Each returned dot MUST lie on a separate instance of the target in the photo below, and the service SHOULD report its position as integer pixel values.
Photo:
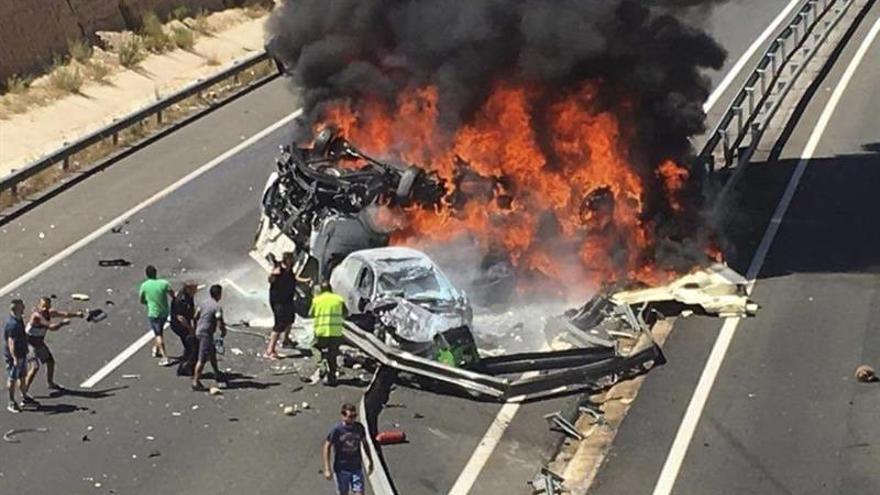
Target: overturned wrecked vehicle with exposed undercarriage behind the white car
(321, 202)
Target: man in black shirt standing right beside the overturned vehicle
(282, 290)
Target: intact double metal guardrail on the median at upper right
(754, 106)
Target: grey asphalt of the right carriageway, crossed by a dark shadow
(785, 415)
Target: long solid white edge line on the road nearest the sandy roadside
(11, 286)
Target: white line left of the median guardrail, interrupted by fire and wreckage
(492, 438)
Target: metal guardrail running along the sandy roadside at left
(62, 156)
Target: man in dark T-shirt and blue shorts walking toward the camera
(345, 440)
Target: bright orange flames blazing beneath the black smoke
(567, 193)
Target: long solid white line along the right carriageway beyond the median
(669, 473)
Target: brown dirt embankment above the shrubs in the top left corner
(34, 32)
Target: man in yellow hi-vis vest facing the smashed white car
(328, 310)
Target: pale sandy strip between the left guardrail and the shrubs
(27, 136)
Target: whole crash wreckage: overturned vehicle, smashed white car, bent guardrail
(322, 203)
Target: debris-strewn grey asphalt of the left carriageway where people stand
(150, 433)
